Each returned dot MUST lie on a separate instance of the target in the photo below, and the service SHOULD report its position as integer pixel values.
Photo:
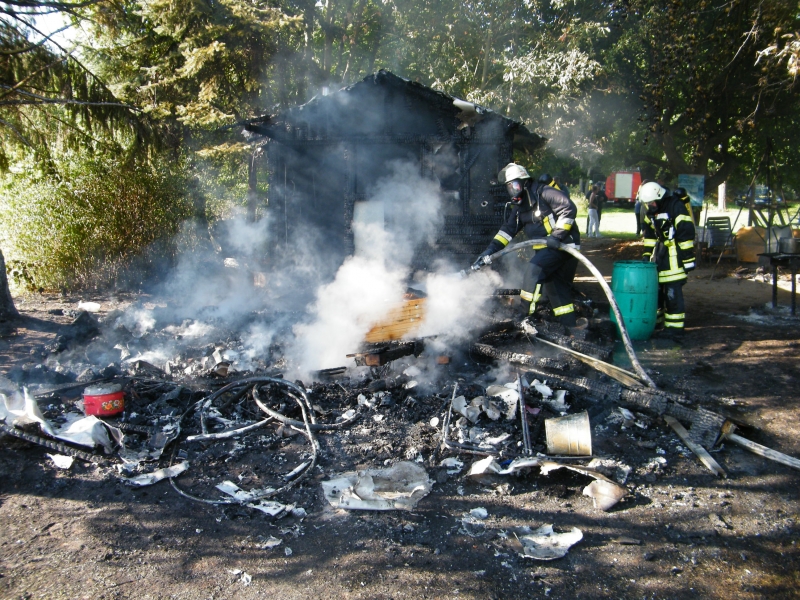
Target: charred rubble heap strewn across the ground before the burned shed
(381, 434)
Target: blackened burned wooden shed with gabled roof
(325, 157)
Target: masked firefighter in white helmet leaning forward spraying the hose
(542, 211)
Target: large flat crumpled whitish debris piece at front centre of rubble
(400, 486)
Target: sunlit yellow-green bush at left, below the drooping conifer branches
(83, 224)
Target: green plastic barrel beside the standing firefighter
(635, 286)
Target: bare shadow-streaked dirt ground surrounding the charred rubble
(681, 531)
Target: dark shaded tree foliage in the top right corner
(707, 107)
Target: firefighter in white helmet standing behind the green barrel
(669, 243)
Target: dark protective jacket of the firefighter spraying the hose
(556, 217)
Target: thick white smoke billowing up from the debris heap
(244, 290)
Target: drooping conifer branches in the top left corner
(50, 102)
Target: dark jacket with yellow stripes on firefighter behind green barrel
(669, 233)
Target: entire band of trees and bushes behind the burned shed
(667, 85)
